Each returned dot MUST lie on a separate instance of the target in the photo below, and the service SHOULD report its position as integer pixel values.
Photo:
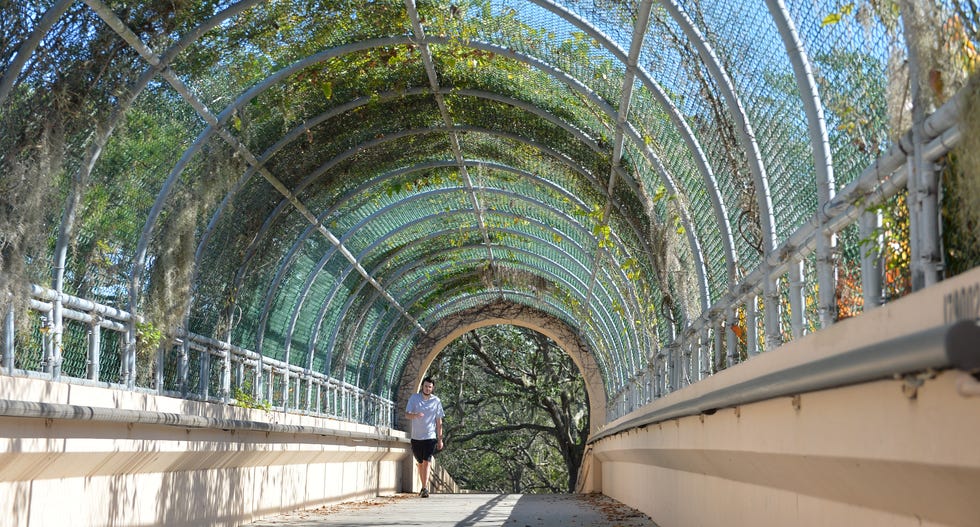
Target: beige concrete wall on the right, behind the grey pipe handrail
(893, 452)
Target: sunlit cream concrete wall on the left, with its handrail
(110, 457)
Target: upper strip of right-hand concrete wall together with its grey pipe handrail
(906, 336)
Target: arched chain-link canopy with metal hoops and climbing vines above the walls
(298, 203)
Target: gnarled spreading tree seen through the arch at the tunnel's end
(516, 412)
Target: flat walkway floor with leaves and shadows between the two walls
(470, 510)
